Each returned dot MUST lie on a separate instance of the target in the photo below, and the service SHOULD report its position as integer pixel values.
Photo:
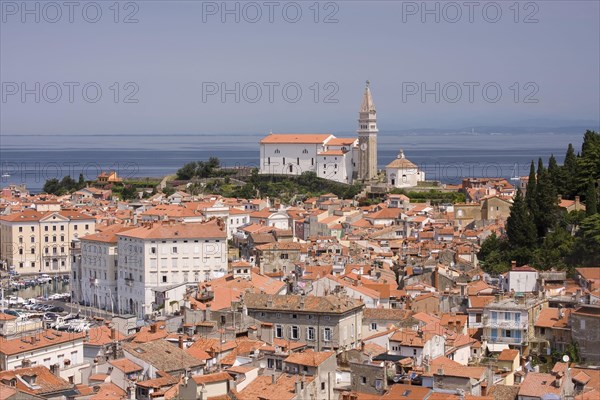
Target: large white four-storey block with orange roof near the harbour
(158, 255)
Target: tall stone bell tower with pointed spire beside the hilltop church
(367, 138)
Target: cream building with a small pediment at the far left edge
(36, 242)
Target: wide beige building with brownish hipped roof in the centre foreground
(323, 323)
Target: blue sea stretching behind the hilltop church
(447, 157)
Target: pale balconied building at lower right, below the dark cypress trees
(510, 321)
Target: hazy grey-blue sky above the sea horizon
(194, 67)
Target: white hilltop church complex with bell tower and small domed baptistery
(345, 160)
